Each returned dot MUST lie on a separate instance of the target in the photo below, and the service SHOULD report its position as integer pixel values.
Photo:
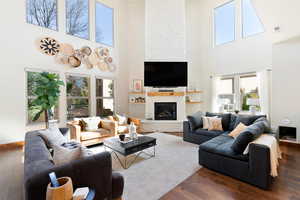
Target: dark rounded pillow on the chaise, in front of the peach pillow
(242, 141)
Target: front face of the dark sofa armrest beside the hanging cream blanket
(259, 164)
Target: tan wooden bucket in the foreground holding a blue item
(63, 192)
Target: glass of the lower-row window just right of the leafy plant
(77, 96)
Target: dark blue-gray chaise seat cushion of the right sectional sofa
(222, 145)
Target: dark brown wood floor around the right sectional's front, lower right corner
(209, 185)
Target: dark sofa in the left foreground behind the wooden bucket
(93, 171)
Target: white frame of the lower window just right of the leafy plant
(78, 97)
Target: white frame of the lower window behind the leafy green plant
(37, 70)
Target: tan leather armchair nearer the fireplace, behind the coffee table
(124, 128)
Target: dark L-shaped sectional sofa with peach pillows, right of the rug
(217, 150)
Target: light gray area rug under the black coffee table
(150, 179)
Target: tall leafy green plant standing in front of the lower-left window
(46, 92)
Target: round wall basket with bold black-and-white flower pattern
(49, 46)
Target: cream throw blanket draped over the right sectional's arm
(275, 153)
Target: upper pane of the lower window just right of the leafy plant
(77, 86)
